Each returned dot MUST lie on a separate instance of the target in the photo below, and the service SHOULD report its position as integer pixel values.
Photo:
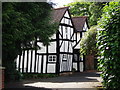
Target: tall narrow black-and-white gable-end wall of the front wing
(66, 43)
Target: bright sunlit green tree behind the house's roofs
(91, 9)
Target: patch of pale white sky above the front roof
(61, 3)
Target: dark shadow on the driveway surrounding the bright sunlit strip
(76, 77)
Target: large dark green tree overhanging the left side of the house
(21, 24)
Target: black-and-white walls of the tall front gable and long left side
(39, 61)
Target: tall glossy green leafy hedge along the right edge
(109, 46)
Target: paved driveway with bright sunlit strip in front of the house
(76, 81)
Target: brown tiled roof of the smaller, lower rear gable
(79, 22)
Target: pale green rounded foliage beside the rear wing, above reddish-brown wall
(88, 42)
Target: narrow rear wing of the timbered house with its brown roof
(81, 26)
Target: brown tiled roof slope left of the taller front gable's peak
(58, 13)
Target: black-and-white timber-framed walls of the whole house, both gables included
(60, 55)
